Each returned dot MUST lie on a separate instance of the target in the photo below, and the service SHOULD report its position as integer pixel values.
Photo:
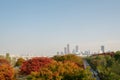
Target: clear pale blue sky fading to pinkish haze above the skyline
(43, 27)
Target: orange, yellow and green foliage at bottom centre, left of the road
(61, 71)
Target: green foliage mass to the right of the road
(107, 66)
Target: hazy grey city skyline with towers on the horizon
(76, 50)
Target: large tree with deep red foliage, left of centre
(34, 64)
